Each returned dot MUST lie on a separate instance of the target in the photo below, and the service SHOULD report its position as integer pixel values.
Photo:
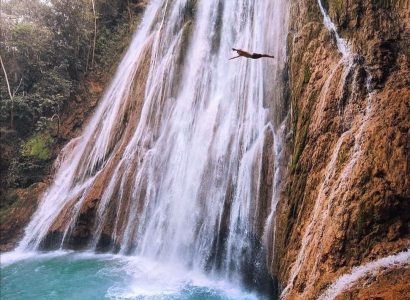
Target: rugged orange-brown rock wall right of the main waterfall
(345, 200)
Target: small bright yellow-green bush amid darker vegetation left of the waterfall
(38, 147)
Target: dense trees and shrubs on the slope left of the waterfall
(48, 50)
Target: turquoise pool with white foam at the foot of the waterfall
(94, 276)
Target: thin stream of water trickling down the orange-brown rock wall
(347, 68)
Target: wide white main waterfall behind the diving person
(172, 164)
